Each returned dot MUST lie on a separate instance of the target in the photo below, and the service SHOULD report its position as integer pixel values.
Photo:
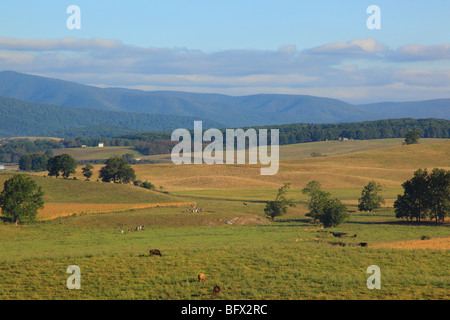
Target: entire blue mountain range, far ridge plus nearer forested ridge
(136, 110)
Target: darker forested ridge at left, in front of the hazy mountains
(20, 118)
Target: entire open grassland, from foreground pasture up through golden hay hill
(232, 243)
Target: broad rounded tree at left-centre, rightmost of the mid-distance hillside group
(117, 170)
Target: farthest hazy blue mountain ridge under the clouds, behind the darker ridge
(252, 110)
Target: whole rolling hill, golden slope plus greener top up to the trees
(345, 171)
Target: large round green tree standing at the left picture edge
(21, 198)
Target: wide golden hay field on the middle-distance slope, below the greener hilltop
(389, 166)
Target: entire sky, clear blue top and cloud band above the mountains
(237, 47)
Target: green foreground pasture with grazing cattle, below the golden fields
(289, 259)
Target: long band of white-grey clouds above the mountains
(354, 70)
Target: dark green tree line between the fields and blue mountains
(150, 143)
